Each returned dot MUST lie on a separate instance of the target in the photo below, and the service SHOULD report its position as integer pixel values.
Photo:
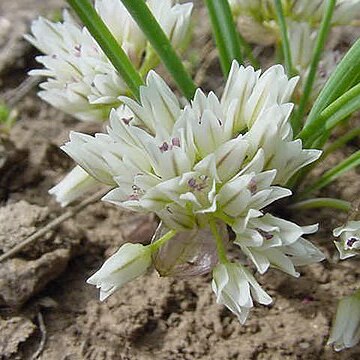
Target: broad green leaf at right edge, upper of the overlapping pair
(345, 76)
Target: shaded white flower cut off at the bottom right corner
(345, 332)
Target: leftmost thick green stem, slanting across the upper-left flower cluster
(108, 44)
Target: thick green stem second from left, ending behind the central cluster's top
(161, 44)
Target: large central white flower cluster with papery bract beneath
(211, 164)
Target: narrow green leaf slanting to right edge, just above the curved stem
(346, 165)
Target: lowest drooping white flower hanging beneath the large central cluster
(234, 287)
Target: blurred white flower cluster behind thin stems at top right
(257, 22)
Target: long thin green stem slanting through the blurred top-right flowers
(319, 46)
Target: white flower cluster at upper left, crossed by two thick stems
(81, 81)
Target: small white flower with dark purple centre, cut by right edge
(349, 242)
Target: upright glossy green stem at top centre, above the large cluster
(225, 33)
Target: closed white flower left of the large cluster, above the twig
(74, 185)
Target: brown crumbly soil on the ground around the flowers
(47, 311)
